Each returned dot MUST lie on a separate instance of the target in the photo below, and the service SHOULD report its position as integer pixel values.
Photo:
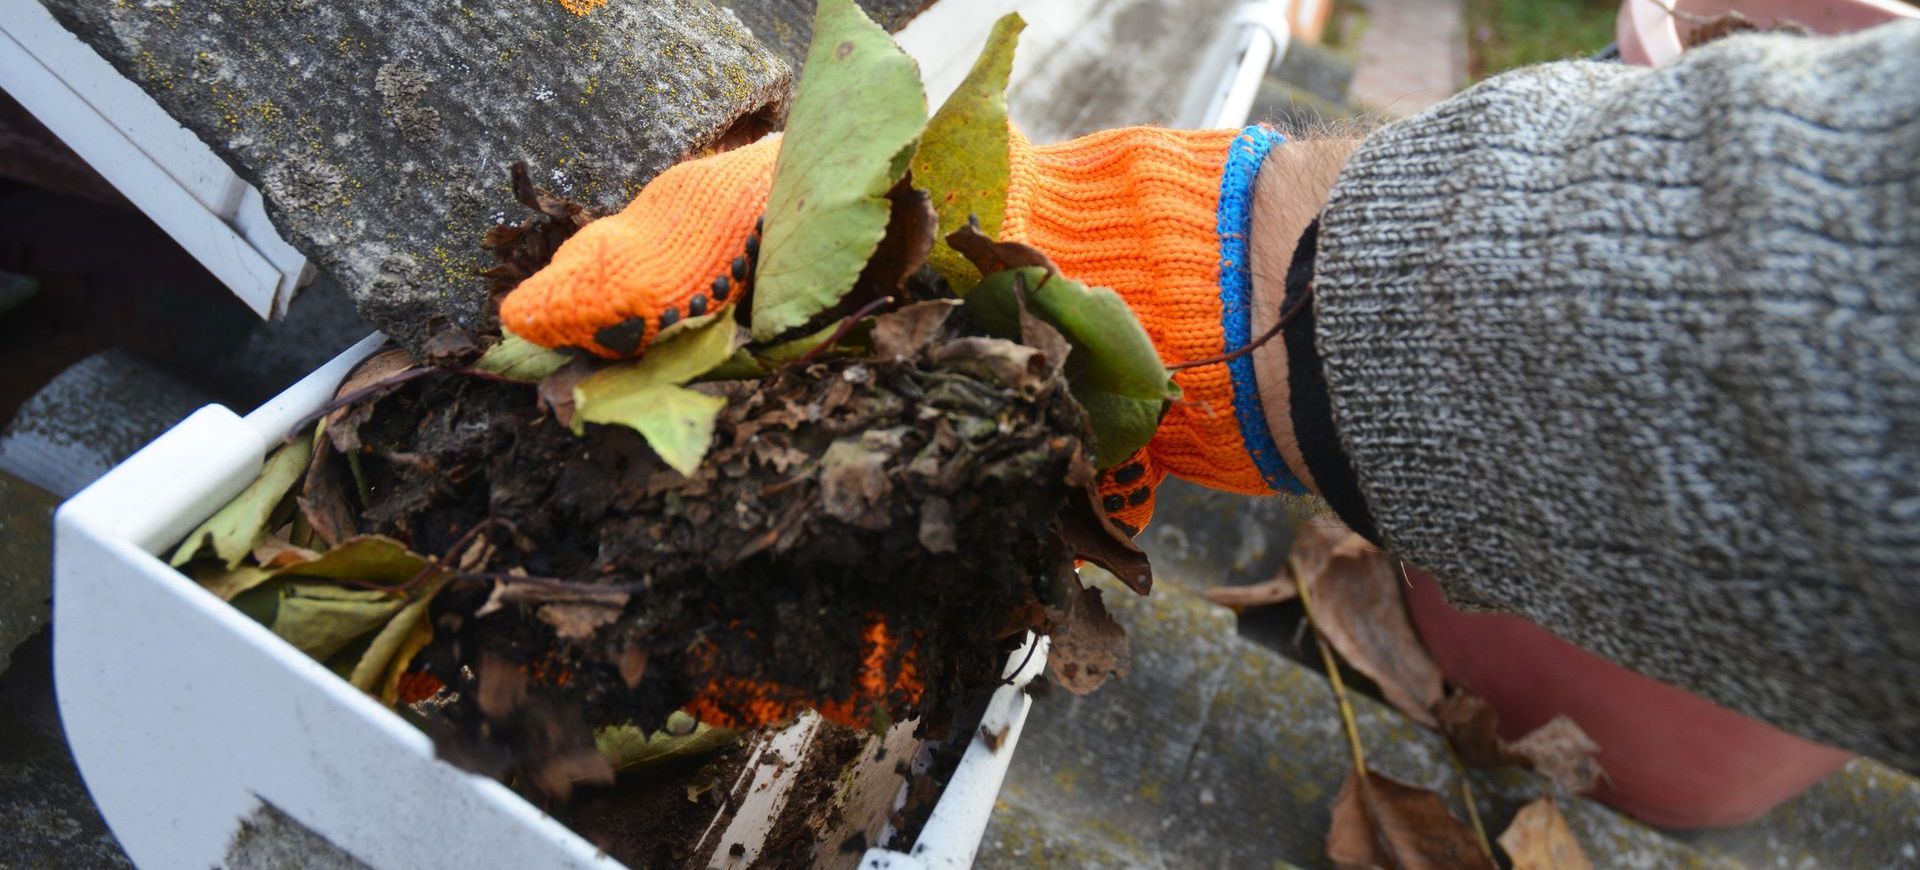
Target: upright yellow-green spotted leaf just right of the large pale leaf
(963, 160)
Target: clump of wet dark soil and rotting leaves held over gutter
(869, 535)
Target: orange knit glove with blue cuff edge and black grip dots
(1159, 216)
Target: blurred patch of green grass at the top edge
(1514, 34)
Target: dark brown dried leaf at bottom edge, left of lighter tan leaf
(1381, 823)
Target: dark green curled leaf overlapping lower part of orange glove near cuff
(1115, 370)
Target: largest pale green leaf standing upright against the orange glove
(857, 114)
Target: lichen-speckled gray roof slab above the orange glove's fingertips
(381, 133)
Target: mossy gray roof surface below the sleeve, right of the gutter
(1222, 750)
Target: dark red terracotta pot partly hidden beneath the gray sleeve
(1673, 760)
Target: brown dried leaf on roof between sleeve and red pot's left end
(1360, 608)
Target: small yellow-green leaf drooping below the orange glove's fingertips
(648, 399)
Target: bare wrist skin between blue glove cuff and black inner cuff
(1287, 197)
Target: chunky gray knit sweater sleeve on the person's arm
(1637, 354)
